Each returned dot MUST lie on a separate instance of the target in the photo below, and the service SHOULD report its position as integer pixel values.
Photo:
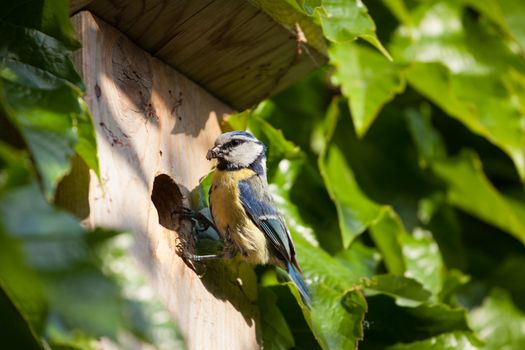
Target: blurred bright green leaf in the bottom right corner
(498, 322)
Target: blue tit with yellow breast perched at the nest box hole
(243, 209)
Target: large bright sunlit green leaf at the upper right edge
(464, 67)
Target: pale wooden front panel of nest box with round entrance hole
(153, 128)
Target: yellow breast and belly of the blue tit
(231, 219)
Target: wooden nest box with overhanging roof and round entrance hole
(160, 76)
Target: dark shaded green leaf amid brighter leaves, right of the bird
(385, 163)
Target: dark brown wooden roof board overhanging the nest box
(219, 43)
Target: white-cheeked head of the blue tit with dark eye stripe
(237, 150)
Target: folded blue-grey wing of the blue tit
(258, 204)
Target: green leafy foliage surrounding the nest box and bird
(399, 168)
